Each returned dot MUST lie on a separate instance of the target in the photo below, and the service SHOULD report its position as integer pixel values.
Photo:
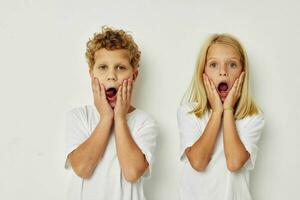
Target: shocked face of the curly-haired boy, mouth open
(111, 68)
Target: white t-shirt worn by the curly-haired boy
(107, 181)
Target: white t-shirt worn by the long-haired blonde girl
(216, 182)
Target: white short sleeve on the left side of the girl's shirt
(190, 128)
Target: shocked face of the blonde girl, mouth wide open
(223, 66)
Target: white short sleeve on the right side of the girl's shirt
(250, 133)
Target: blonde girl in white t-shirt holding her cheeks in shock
(220, 124)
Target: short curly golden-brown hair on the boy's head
(111, 39)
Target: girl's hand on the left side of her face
(212, 95)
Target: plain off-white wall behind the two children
(44, 74)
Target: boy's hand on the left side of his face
(100, 100)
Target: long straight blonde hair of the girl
(196, 91)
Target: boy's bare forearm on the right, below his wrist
(132, 160)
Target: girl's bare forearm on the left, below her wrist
(200, 152)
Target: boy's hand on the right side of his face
(123, 99)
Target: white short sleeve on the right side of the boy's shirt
(145, 138)
